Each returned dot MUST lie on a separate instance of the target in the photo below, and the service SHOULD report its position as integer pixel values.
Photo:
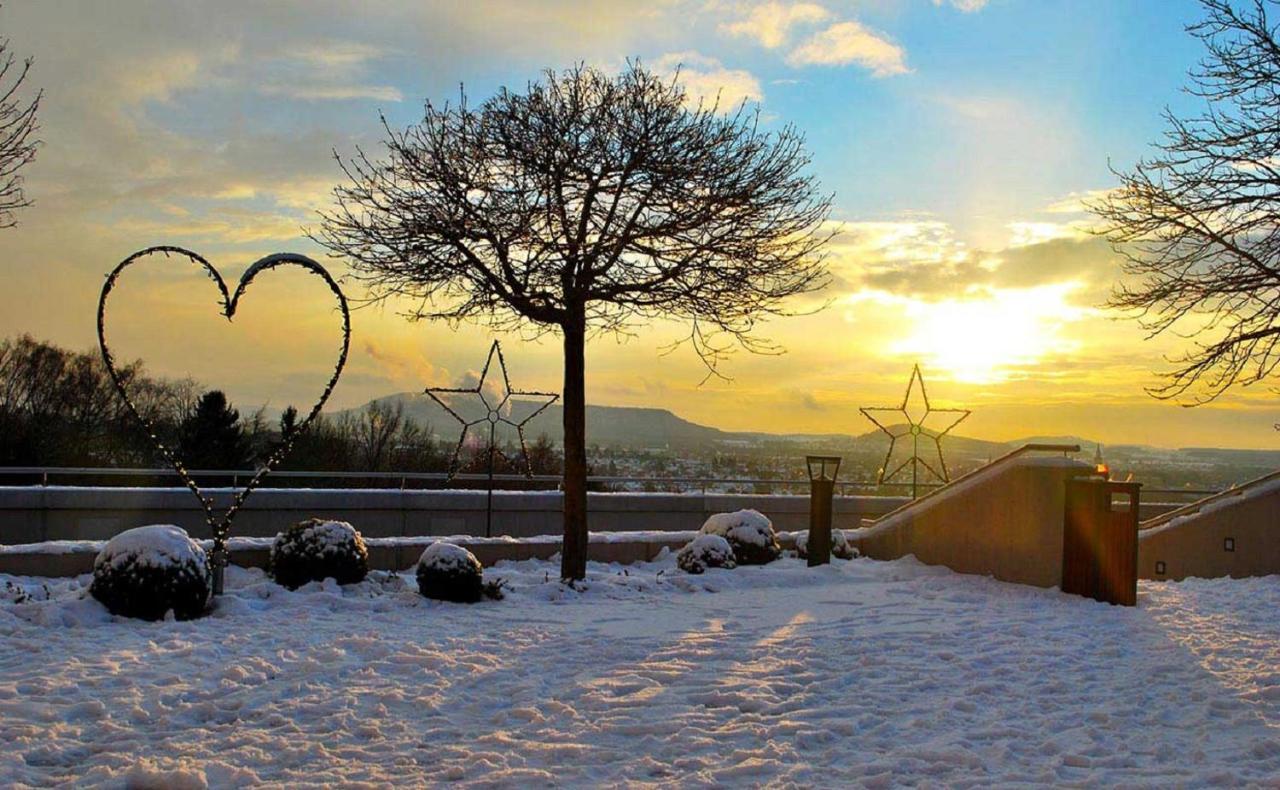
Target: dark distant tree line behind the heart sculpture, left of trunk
(58, 408)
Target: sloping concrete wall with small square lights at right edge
(1196, 546)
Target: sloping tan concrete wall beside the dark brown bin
(1004, 523)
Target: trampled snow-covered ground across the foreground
(861, 673)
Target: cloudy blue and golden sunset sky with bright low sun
(959, 139)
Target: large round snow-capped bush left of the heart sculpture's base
(149, 572)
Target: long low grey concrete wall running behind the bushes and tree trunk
(31, 515)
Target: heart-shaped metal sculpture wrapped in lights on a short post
(221, 524)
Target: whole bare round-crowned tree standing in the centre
(587, 203)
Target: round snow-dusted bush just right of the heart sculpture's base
(317, 550)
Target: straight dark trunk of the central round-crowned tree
(574, 555)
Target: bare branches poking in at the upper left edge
(19, 130)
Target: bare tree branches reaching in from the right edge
(1197, 225)
